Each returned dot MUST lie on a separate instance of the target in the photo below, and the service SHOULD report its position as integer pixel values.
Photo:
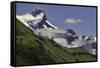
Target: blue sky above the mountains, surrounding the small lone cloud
(57, 15)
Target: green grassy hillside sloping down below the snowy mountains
(33, 50)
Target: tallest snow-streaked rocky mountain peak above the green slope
(36, 20)
